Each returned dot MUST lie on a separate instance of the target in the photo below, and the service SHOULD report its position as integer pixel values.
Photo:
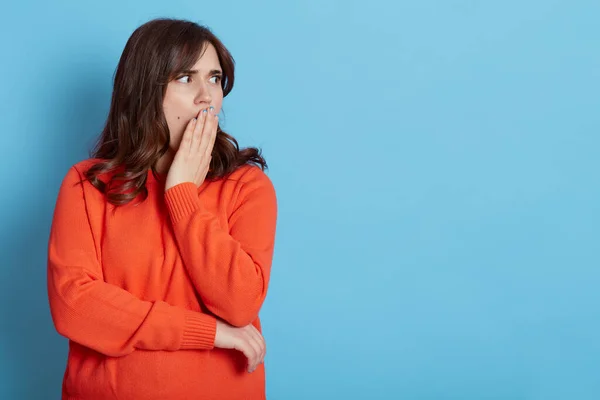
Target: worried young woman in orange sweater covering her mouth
(161, 244)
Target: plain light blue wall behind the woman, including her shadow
(436, 164)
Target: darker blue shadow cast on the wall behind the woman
(34, 354)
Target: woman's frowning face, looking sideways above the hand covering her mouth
(194, 90)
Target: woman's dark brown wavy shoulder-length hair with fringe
(136, 134)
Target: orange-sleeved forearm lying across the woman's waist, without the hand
(112, 321)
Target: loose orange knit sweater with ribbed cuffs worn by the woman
(136, 288)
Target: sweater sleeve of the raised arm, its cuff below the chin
(230, 270)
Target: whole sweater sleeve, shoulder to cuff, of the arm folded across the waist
(99, 315)
